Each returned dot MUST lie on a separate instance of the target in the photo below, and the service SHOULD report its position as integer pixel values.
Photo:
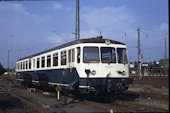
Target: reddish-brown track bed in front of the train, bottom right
(122, 106)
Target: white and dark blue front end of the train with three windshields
(104, 68)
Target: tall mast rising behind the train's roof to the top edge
(77, 29)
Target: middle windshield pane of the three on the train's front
(108, 55)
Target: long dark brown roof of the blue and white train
(98, 39)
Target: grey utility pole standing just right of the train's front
(139, 55)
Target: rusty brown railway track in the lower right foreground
(123, 106)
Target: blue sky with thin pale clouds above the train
(29, 27)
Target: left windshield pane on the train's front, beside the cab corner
(91, 55)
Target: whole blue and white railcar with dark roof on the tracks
(88, 65)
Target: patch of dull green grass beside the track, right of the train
(149, 89)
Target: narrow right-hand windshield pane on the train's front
(121, 55)
